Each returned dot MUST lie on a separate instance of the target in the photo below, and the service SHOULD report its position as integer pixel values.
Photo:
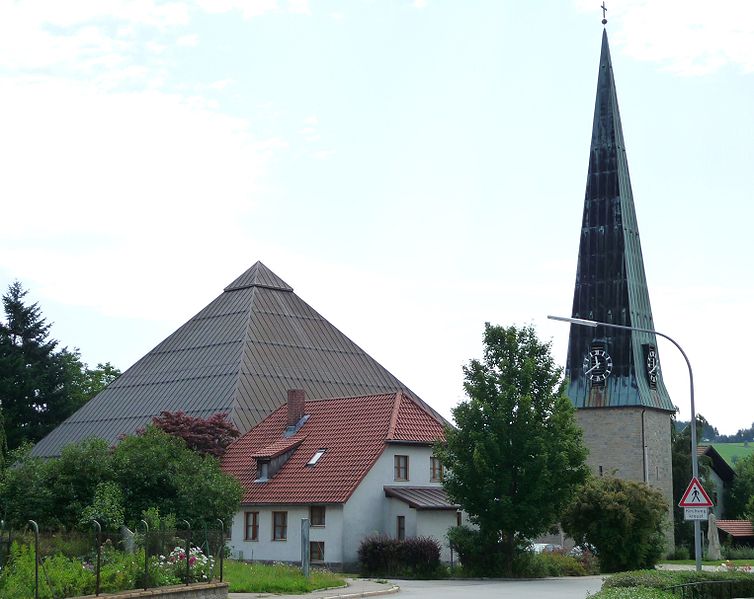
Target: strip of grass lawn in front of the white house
(262, 578)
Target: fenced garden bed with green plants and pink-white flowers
(120, 560)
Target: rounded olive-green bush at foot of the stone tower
(621, 520)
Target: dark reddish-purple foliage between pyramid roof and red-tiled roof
(210, 436)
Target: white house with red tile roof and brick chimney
(353, 466)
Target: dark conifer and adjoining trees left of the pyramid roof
(40, 384)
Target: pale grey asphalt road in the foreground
(541, 588)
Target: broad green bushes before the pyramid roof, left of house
(151, 470)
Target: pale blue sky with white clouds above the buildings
(412, 168)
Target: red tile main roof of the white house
(352, 430)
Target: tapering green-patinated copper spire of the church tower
(611, 285)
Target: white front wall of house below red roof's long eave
(289, 550)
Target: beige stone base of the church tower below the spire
(632, 443)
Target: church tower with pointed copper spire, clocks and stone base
(615, 376)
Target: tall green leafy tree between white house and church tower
(517, 454)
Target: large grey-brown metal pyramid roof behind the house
(238, 355)
